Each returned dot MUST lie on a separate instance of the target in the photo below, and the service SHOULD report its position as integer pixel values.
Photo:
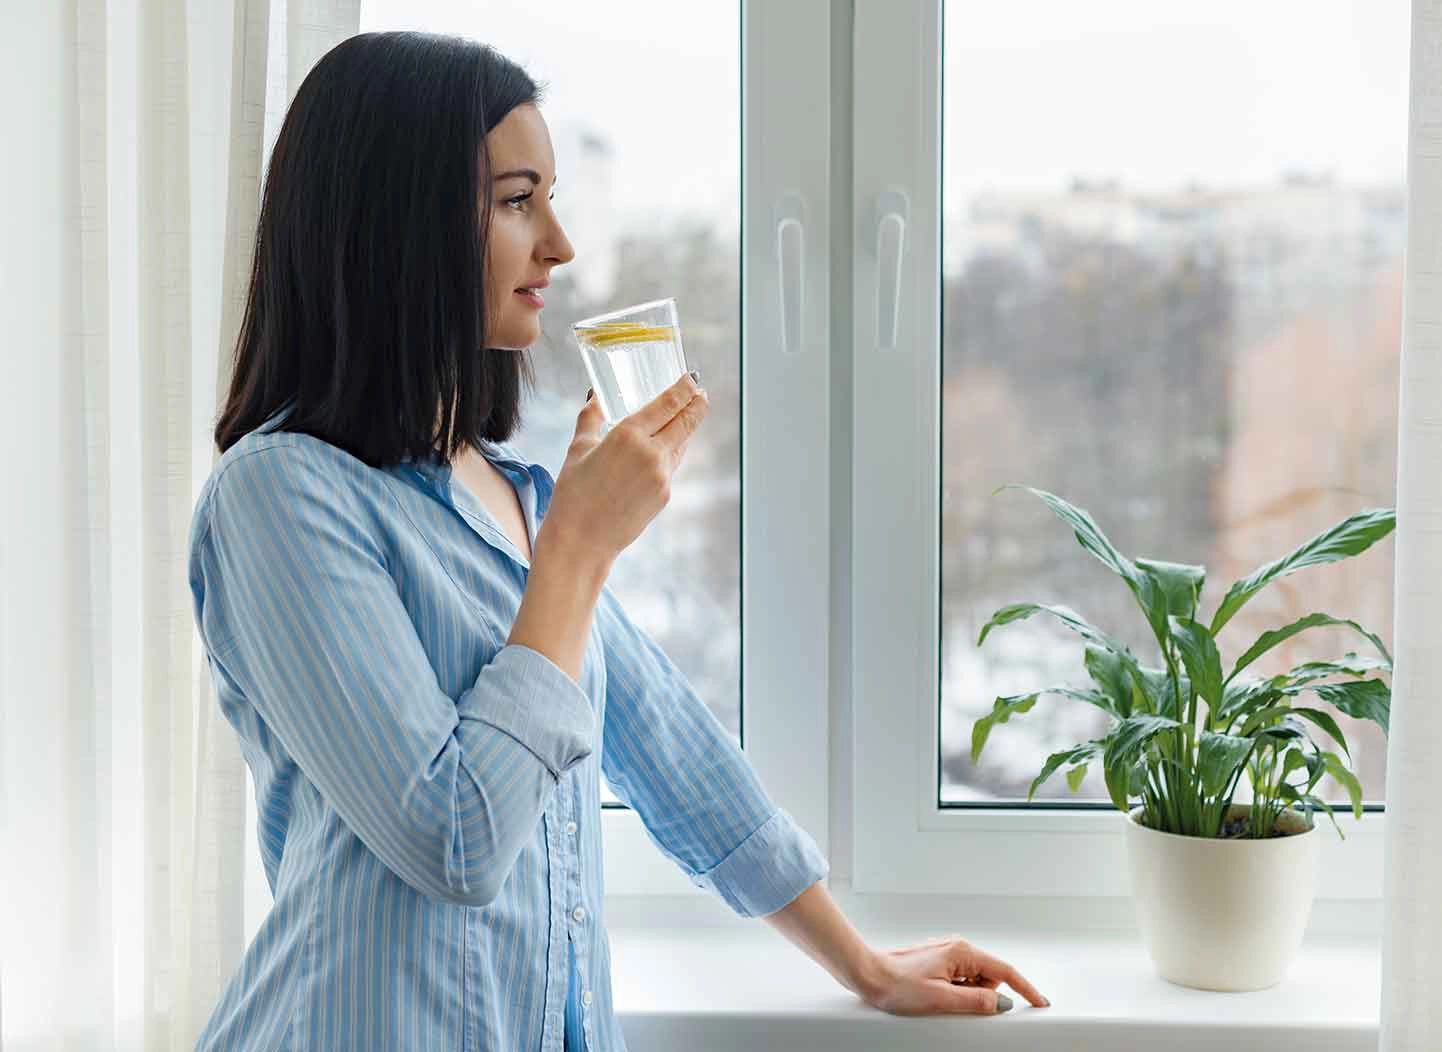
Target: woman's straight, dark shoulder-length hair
(366, 312)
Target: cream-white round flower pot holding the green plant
(1224, 914)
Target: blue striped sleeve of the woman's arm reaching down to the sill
(667, 757)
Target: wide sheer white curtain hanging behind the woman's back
(131, 188)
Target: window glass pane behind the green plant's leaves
(1172, 296)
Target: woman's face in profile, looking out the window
(526, 240)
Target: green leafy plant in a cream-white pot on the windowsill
(1224, 891)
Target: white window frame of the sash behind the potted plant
(903, 841)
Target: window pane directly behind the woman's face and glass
(648, 190)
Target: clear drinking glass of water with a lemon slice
(631, 355)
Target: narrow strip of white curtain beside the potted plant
(1412, 870)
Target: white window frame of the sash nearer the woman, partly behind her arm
(787, 502)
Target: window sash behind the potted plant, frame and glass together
(1140, 257)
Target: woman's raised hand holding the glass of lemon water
(612, 488)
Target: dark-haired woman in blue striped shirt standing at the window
(407, 623)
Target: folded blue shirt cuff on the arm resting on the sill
(769, 870)
